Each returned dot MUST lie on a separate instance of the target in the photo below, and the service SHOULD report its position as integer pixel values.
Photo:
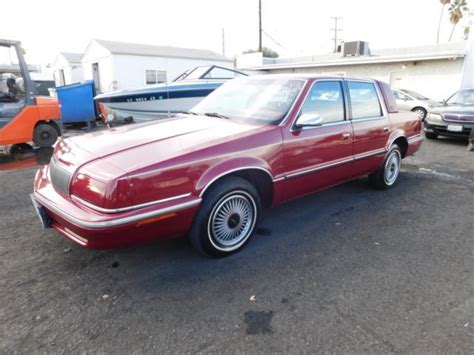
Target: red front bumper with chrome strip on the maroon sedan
(96, 230)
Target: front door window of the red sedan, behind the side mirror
(326, 100)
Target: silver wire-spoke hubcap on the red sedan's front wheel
(232, 220)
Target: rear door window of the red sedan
(364, 100)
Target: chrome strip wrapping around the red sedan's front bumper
(118, 221)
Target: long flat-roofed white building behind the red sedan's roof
(435, 71)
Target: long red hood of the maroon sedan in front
(132, 147)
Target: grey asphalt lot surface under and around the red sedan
(346, 270)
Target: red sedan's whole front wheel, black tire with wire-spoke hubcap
(204, 232)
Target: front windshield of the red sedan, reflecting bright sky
(265, 100)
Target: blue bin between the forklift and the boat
(77, 102)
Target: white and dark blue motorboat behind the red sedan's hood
(163, 100)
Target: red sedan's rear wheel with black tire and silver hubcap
(380, 178)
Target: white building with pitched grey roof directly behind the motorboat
(118, 65)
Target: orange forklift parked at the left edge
(24, 117)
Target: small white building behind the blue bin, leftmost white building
(67, 69)
